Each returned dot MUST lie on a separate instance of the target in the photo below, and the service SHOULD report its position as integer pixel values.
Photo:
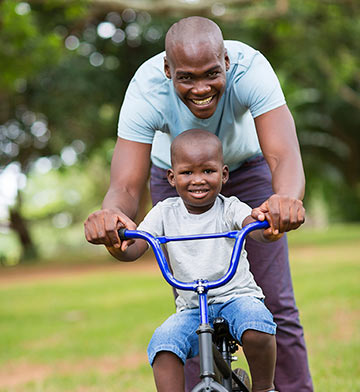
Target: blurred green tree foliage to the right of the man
(313, 47)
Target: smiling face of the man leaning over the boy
(199, 76)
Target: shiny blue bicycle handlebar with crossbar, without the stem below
(156, 242)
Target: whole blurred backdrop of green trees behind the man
(64, 70)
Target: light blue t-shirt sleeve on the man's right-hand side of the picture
(258, 88)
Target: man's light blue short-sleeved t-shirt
(153, 113)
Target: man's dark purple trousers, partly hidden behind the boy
(269, 263)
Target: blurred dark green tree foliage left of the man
(63, 107)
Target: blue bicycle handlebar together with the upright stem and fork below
(200, 286)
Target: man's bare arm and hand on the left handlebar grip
(129, 172)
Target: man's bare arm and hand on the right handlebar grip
(277, 136)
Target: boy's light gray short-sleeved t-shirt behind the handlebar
(205, 259)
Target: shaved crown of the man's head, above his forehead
(192, 32)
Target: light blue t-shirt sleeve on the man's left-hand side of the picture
(138, 118)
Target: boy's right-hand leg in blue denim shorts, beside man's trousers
(251, 323)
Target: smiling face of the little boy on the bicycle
(198, 175)
